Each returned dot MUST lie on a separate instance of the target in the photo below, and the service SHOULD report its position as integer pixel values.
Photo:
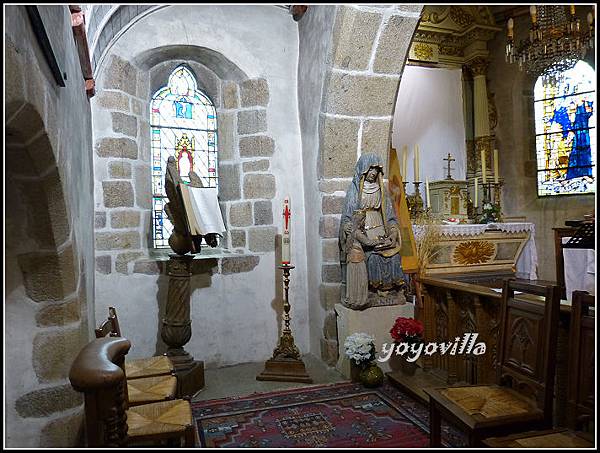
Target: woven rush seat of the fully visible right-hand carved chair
(488, 400)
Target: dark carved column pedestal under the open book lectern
(177, 327)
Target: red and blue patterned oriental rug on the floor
(338, 415)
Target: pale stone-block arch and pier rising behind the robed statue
(361, 70)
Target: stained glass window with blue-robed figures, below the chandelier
(565, 126)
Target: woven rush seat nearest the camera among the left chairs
(159, 418)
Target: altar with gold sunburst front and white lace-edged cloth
(494, 247)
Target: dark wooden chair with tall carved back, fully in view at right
(521, 399)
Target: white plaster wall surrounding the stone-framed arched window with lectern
(263, 42)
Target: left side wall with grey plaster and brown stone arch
(49, 236)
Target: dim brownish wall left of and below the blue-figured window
(515, 140)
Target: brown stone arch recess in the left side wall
(44, 288)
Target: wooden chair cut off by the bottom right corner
(580, 388)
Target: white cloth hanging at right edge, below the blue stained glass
(580, 269)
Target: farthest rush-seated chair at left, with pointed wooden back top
(135, 368)
